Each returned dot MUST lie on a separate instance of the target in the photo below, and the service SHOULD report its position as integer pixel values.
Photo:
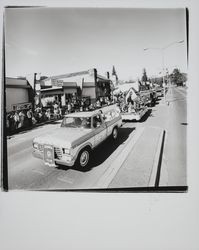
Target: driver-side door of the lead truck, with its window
(100, 129)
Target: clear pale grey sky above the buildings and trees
(54, 41)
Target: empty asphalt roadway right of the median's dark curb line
(174, 165)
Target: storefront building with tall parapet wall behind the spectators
(84, 84)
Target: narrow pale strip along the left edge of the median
(114, 167)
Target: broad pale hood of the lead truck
(65, 137)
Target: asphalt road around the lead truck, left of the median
(27, 172)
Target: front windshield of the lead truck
(76, 122)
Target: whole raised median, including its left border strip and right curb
(137, 164)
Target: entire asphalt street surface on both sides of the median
(28, 173)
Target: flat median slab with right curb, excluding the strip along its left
(141, 166)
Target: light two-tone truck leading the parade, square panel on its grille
(79, 134)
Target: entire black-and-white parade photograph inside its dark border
(95, 99)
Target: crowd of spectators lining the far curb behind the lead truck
(22, 119)
